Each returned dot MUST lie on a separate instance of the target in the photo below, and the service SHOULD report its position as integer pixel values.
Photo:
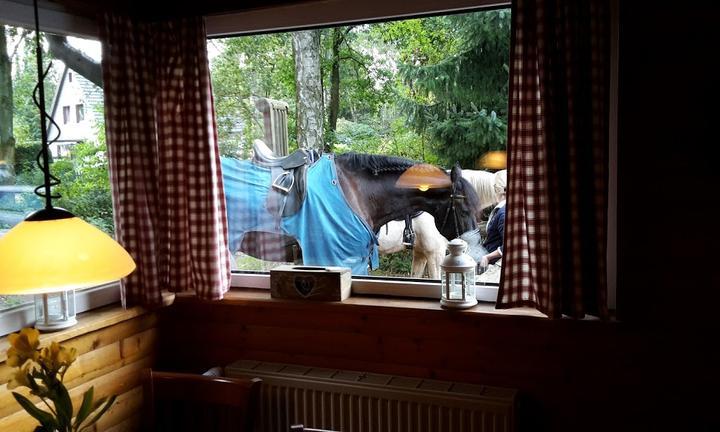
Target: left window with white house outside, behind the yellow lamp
(85, 187)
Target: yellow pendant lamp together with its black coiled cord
(52, 251)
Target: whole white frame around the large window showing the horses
(338, 12)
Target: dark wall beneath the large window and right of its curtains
(645, 373)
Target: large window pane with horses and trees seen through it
(429, 90)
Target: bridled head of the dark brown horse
(458, 210)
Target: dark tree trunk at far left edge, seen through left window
(7, 139)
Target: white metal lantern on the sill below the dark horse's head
(457, 276)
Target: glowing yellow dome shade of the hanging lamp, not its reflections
(59, 254)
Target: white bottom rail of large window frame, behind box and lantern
(375, 286)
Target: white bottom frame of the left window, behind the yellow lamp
(13, 319)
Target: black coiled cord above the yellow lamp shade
(43, 157)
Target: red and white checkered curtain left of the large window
(164, 163)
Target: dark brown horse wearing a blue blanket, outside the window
(361, 189)
